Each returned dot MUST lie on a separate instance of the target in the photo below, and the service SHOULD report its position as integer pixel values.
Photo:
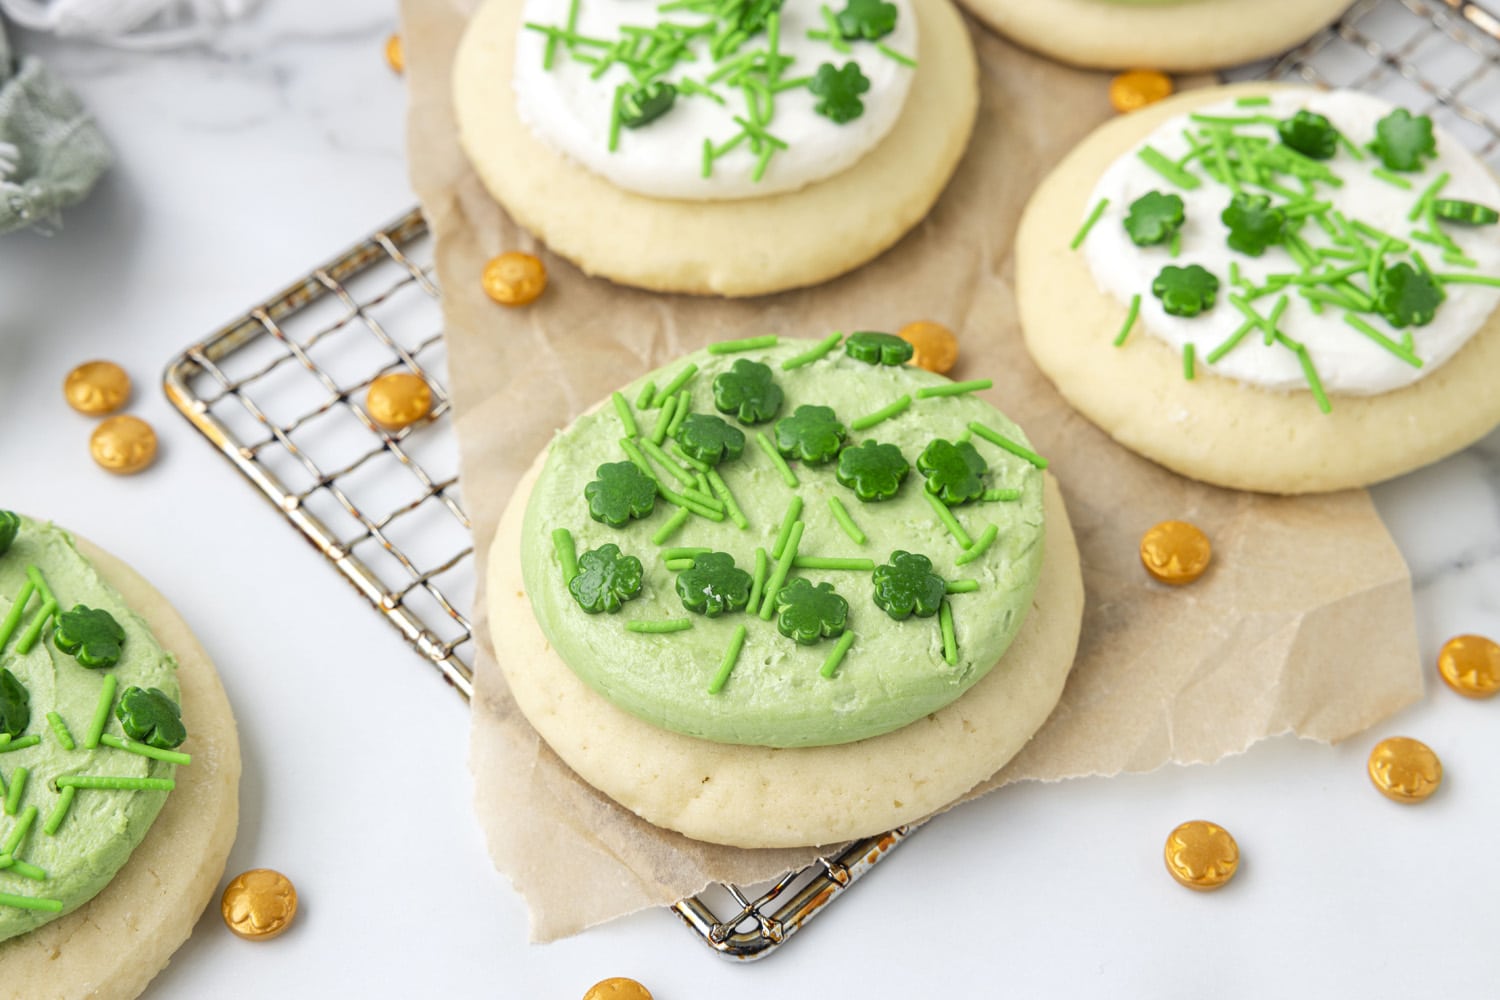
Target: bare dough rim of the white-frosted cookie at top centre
(749, 247)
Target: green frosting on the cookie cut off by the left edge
(103, 827)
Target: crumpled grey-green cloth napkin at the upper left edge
(52, 152)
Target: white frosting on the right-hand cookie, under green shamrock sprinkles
(1346, 361)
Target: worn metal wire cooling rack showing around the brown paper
(280, 392)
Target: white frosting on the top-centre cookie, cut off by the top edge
(572, 113)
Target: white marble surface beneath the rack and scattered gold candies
(247, 163)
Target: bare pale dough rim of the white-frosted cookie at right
(1217, 430)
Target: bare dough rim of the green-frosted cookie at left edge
(112, 947)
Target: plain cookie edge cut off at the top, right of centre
(1168, 35)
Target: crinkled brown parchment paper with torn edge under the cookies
(1303, 624)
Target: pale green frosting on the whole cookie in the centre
(895, 674)
